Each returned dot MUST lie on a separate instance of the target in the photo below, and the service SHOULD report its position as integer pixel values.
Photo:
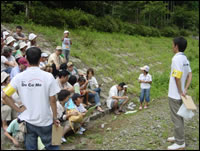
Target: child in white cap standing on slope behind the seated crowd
(66, 44)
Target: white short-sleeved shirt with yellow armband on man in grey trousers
(180, 68)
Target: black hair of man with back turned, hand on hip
(33, 55)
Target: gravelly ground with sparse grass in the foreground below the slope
(147, 129)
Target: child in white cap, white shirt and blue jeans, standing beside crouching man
(145, 81)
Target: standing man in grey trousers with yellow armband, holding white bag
(180, 79)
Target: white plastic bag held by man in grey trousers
(185, 113)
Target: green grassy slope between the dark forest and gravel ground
(119, 56)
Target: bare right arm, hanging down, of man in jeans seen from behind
(54, 110)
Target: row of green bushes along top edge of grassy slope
(77, 19)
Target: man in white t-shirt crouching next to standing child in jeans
(115, 100)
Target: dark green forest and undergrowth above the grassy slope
(146, 18)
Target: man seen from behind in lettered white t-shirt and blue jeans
(37, 90)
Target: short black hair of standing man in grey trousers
(181, 43)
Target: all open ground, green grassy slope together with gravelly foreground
(116, 58)
